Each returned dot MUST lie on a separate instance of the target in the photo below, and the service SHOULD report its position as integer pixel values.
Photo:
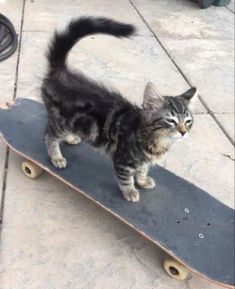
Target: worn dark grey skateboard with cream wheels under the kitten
(190, 225)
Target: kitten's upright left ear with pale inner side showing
(152, 97)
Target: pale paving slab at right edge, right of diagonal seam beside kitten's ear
(209, 66)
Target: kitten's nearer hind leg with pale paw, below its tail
(53, 149)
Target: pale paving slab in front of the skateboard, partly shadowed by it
(54, 238)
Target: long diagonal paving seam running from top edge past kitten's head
(183, 75)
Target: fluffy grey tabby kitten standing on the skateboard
(79, 109)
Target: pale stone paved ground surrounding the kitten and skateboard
(52, 237)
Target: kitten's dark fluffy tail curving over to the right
(79, 28)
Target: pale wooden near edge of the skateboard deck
(170, 253)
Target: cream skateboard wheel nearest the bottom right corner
(175, 269)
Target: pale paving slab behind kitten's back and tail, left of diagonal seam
(127, 65)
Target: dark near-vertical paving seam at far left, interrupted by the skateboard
(6, 164)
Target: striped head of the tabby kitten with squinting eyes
(168, 116)
